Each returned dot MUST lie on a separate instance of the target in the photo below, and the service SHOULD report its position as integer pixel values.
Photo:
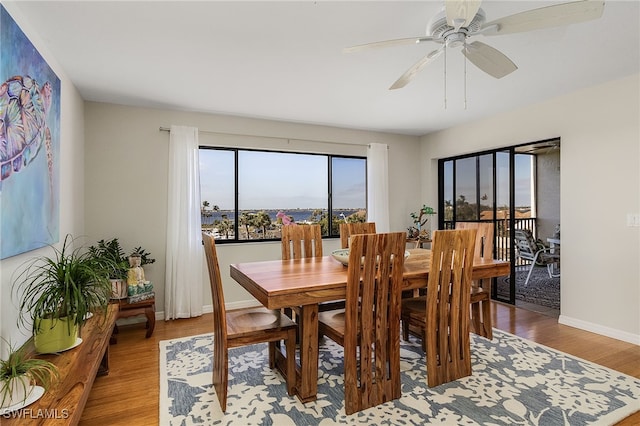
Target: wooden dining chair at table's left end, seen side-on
(244, 327)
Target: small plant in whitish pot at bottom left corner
(19, 373)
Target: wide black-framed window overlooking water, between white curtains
(248, 194)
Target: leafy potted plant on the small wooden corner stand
(111, 252)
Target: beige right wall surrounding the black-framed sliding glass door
(599, 129)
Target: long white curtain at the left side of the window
(183, 287)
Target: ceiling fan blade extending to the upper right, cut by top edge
(546, 17)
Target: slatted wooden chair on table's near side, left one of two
(369, 326)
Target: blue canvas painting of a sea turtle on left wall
(29, 144)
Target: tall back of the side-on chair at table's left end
(220, 352)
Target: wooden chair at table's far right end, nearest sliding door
(481, 289)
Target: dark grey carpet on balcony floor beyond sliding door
(540, 290)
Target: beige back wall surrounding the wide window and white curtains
(126, 178)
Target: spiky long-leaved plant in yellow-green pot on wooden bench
(57, 294)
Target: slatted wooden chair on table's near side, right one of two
(443, 315)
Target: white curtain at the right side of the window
(378, 186)
